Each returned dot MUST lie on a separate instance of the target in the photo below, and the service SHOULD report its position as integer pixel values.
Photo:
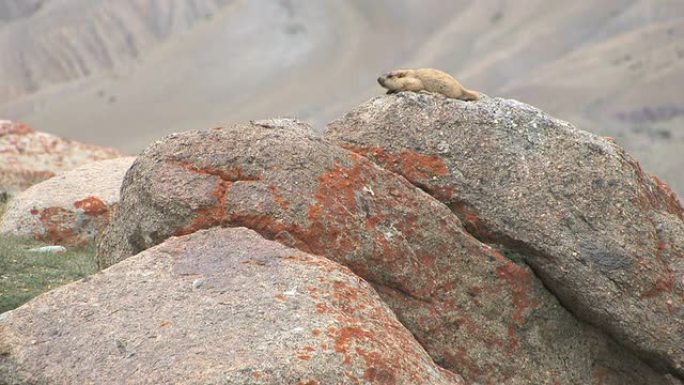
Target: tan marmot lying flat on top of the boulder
(426, 79)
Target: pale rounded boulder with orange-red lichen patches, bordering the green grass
(71, 208)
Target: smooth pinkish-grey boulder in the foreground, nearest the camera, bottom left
(222, 306)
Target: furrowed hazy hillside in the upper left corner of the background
(49, 42)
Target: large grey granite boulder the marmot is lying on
(603, 236)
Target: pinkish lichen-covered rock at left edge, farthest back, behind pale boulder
(28, 157)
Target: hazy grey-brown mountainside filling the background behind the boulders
(122, 73)
